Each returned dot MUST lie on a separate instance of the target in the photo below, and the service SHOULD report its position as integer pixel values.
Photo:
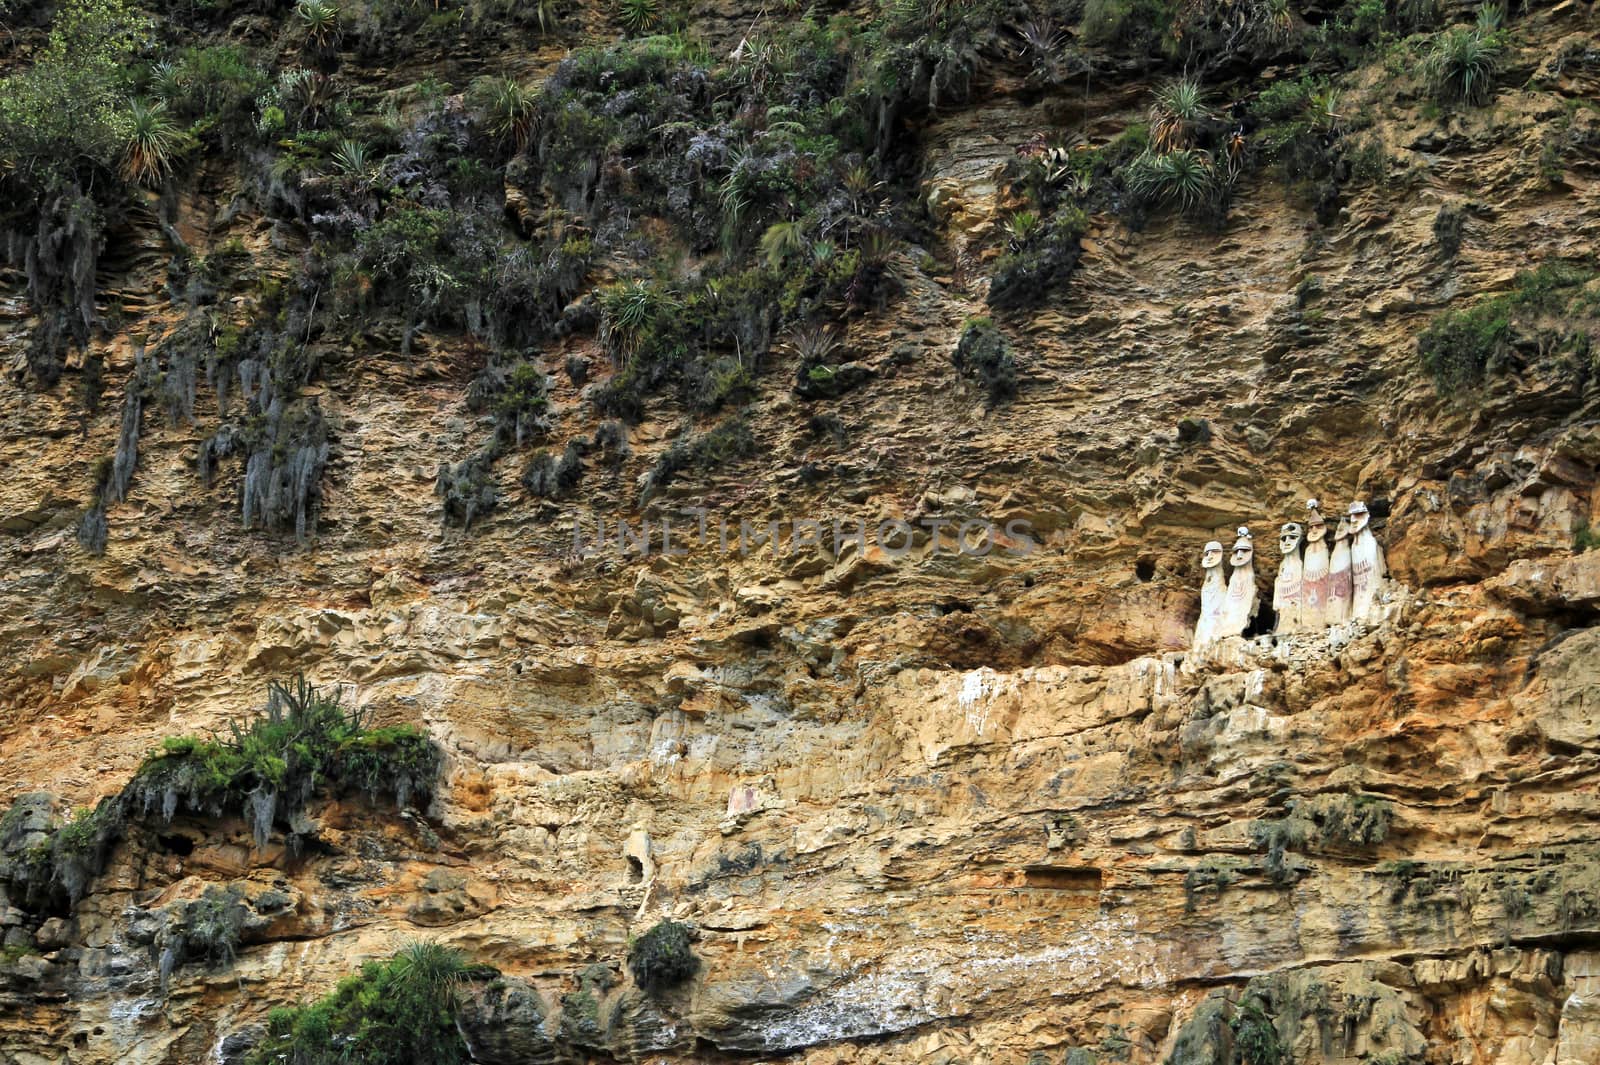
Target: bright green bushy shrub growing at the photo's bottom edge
(393, 1013)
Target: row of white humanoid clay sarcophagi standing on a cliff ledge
(1316, 589)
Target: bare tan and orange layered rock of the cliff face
(940, 808)
